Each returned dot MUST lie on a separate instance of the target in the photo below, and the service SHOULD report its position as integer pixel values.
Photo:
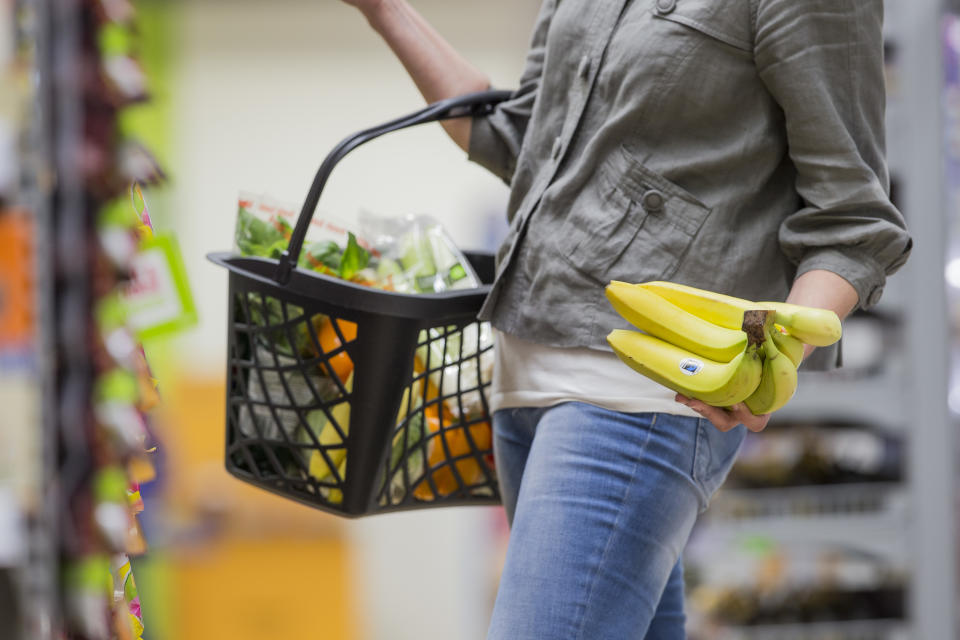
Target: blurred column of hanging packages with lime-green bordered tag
(116, 282)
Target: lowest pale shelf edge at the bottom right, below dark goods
(847, 630)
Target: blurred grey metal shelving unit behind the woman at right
(905, 527)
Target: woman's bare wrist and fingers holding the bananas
(815, 288)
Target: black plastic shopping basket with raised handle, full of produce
(365, 419)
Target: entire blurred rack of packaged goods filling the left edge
(83, 277)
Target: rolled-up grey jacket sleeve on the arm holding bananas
(822, 60)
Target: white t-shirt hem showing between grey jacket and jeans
(527, 374)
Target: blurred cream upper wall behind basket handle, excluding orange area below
(265, 90)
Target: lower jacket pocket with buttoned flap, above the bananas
(629, 223)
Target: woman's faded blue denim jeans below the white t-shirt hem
(600, 505)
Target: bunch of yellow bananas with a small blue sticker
(717, 348)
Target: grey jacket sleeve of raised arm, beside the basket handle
(495, 139)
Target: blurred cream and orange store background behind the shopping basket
(259, 93)
